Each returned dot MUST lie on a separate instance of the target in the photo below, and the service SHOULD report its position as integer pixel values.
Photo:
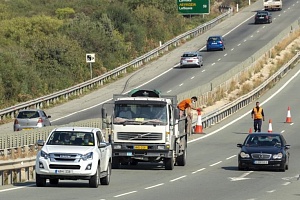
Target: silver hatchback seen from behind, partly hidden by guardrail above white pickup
(31, 119)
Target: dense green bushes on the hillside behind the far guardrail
(43, 43)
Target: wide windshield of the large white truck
(140, 114)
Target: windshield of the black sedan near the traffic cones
(263, 140)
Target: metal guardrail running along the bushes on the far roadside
(101, 80)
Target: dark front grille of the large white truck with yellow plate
(139, 136)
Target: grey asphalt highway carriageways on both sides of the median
(211, 170)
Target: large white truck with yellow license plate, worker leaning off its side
(146, 127)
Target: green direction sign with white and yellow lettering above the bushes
(193, 6)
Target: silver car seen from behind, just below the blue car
(191, 59)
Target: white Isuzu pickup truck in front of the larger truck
(72, 153)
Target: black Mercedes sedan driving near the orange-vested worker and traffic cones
(264, 150)
